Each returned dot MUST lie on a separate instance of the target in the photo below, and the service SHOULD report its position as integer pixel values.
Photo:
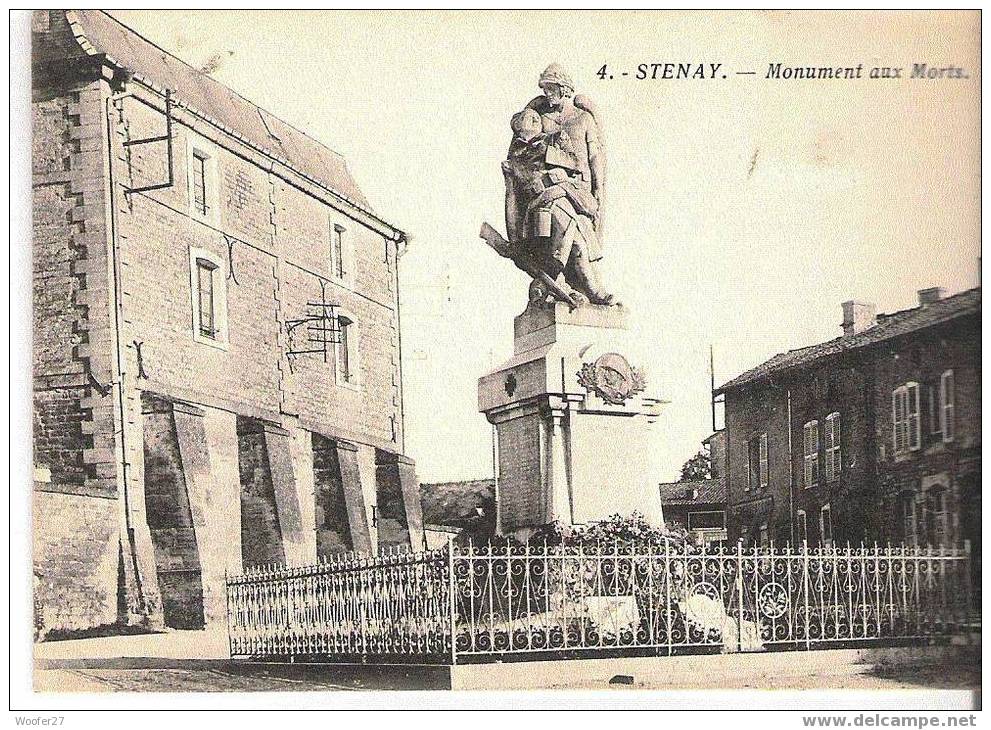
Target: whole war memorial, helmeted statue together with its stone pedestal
(573, 416)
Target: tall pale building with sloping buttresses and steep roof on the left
(217, 368)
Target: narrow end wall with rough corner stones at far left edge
(77, 518)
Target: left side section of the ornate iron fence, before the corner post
(391, 607)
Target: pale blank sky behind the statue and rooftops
(740, 212)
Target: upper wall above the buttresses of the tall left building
(274, 241)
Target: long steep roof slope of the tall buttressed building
(129, 50)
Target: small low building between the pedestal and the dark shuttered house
(699, 505)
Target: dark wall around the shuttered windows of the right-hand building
(864, 500)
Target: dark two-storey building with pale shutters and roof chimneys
(872, 436)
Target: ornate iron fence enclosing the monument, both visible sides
(477, 602)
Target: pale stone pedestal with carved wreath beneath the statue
(573, 421)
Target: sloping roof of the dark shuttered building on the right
(888, 327)
